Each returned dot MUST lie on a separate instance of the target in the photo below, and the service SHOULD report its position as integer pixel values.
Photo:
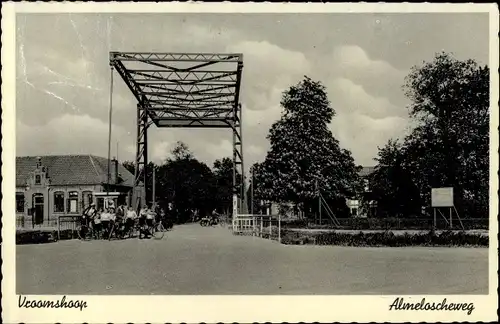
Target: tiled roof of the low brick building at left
(70, 170)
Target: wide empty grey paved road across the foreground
(197, 260)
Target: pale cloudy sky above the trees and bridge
(63, 75)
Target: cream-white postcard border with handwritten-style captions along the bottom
(231, 308)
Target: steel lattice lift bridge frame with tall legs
(197, 90)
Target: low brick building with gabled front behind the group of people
(59, 185)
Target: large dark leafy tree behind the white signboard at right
(449, 145)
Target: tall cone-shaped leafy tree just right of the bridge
(304, 155)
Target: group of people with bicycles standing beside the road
(105, 221)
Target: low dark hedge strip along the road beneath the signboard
(387, 238)
